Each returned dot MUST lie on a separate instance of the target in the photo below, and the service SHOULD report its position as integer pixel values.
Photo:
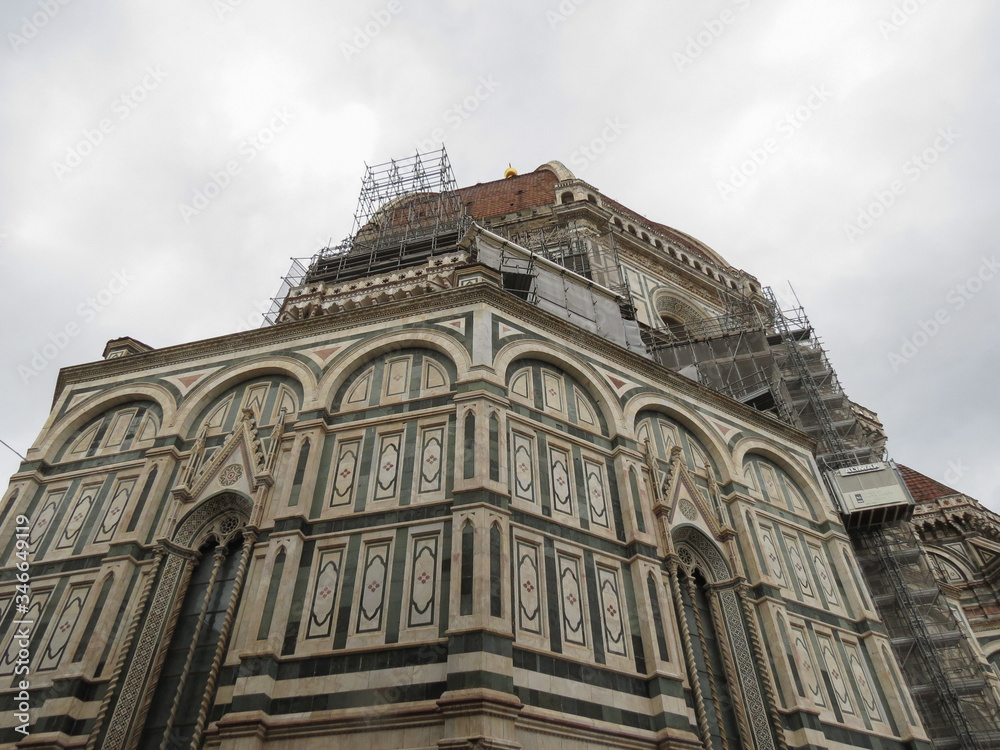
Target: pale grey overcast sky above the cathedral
(849, 148)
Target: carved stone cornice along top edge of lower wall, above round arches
(482, 293)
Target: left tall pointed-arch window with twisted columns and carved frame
(164, 683)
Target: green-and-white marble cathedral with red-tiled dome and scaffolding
(511, 467)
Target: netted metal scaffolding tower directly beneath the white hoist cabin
(947, 683)
